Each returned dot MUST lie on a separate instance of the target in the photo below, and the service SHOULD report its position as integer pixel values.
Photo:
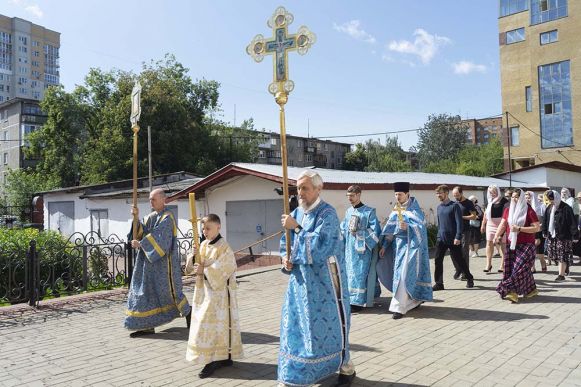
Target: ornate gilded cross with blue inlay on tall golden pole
(279, 46)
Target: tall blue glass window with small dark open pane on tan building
(555, 105)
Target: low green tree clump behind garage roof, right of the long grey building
(372, 156)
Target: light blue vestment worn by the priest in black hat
(412, 260)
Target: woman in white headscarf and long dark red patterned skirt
(521, 223)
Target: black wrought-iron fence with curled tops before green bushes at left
(84, 262)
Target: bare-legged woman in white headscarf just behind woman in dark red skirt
(490, 222)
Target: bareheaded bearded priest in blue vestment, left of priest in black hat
(360, 229)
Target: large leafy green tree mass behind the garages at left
(87, 138)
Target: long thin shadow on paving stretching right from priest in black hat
(462, 314)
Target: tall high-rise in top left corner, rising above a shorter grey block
(29, 59)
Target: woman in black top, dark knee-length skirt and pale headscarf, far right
(560, 230)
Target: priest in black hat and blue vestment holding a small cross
(412, 281)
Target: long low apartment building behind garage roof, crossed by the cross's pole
(302, 151)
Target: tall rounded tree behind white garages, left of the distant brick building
(442, 137)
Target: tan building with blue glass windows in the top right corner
(540, 67)
